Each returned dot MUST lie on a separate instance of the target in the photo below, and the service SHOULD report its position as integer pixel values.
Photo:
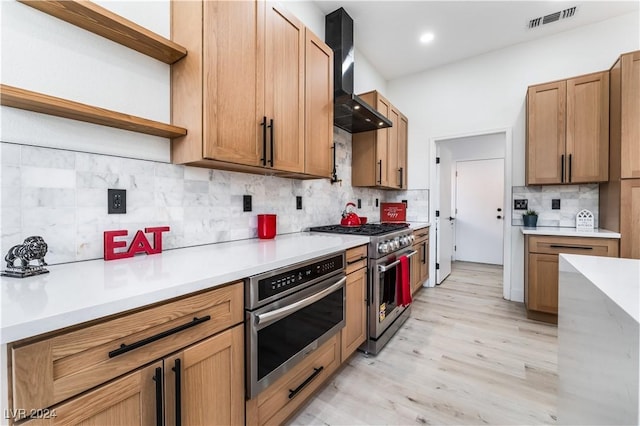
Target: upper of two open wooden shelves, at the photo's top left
(99, 20)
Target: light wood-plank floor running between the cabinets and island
(466, 356)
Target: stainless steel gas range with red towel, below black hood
(388, 242)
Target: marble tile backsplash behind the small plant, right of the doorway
(573, 198)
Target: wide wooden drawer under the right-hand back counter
(574, 245)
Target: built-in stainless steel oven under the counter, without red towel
(290, 312)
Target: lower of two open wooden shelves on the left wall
(45, 104)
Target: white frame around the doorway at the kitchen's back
(434, 195)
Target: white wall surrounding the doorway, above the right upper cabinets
(488, 91)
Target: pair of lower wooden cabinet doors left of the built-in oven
(204, 381)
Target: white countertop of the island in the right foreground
(617, 278)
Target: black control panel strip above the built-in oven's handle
(298, 276)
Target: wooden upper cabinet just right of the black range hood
(380, 156)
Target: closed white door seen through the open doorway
(480, 211)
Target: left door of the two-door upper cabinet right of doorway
(545, 133)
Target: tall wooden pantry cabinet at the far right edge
(620, 197)
